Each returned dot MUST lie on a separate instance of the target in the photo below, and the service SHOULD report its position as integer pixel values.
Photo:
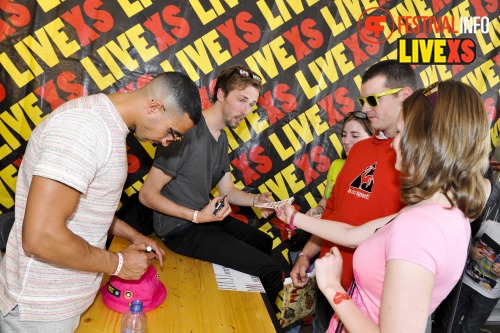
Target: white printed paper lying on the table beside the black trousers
(231, 279)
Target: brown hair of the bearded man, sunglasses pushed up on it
(230, 79)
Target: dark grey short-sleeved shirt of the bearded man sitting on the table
(197, 164)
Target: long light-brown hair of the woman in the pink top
(444, 147)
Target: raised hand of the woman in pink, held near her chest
(329, 270)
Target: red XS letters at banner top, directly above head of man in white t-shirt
(163, 38)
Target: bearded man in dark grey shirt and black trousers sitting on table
(183, 174)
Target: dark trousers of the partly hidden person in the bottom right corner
(474, 307)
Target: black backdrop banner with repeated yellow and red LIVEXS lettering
(311, 55)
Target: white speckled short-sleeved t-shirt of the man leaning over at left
(81, 144)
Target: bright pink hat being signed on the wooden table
(117, 294)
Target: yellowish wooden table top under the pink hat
(193, 303)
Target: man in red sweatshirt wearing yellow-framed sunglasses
(367, 187)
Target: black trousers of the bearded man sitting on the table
(233, 244)
